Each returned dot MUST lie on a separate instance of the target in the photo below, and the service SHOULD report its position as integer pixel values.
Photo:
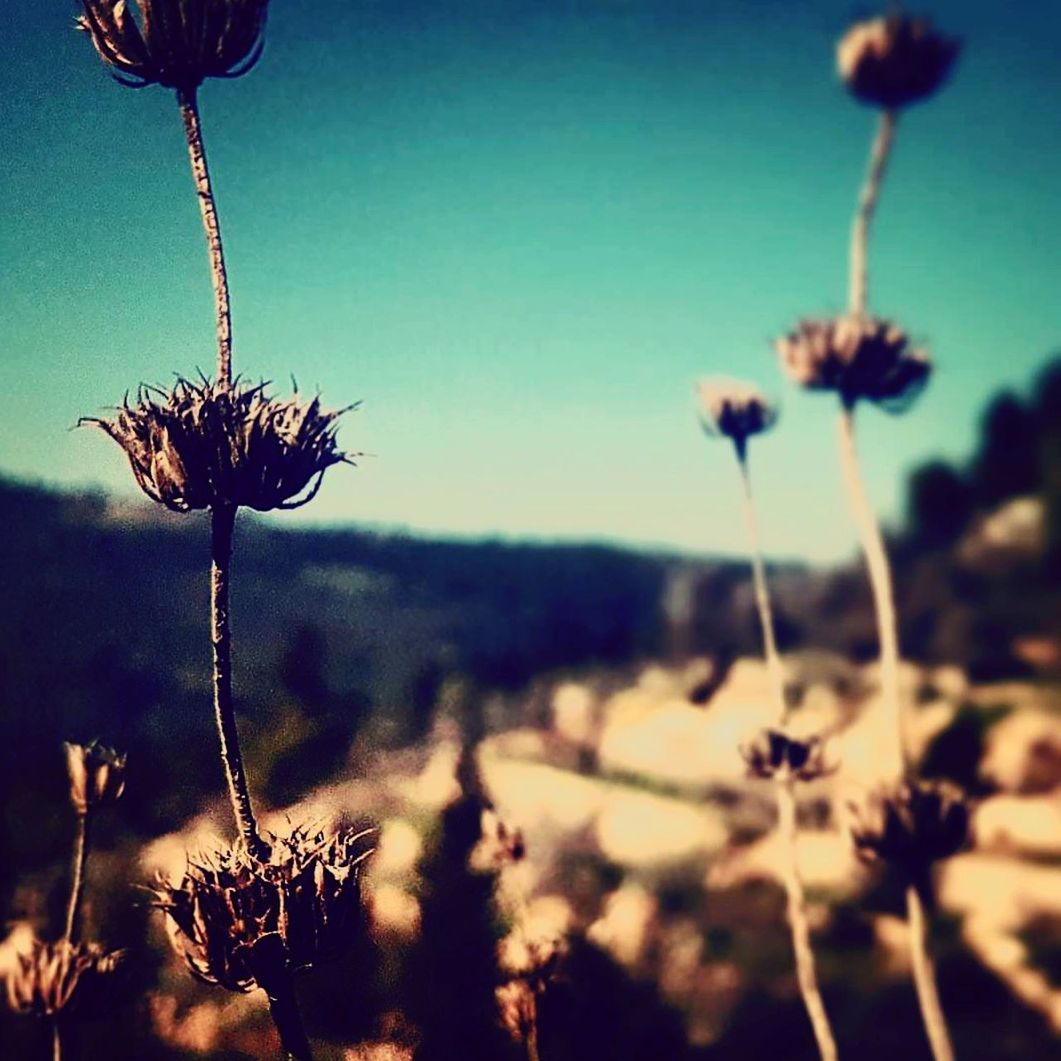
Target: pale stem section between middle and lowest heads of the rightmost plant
(880, 578)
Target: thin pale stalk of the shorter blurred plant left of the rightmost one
(796, 910)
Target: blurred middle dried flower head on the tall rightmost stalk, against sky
(858, 357)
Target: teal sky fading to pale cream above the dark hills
(519, 232)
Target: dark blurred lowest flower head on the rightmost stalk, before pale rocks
(912, 825)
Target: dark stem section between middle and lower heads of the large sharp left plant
(222, 525)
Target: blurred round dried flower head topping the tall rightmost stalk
(896, 61)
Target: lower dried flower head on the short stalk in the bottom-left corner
(48, 979)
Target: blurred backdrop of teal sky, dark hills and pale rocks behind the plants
(520, 232)
